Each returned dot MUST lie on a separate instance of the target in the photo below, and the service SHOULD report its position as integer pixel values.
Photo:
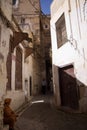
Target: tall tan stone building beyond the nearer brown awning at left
(29, 21)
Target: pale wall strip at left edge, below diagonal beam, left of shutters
(4, 48)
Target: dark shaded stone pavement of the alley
(43, 116)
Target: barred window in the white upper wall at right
(61, 31)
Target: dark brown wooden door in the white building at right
(68, 88)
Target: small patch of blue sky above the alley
(45, 6)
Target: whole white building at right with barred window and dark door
(68, 32)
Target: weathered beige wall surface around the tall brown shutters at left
(17, 96)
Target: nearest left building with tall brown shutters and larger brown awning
(11, 57)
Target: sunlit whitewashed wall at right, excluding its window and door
(75, 50)
